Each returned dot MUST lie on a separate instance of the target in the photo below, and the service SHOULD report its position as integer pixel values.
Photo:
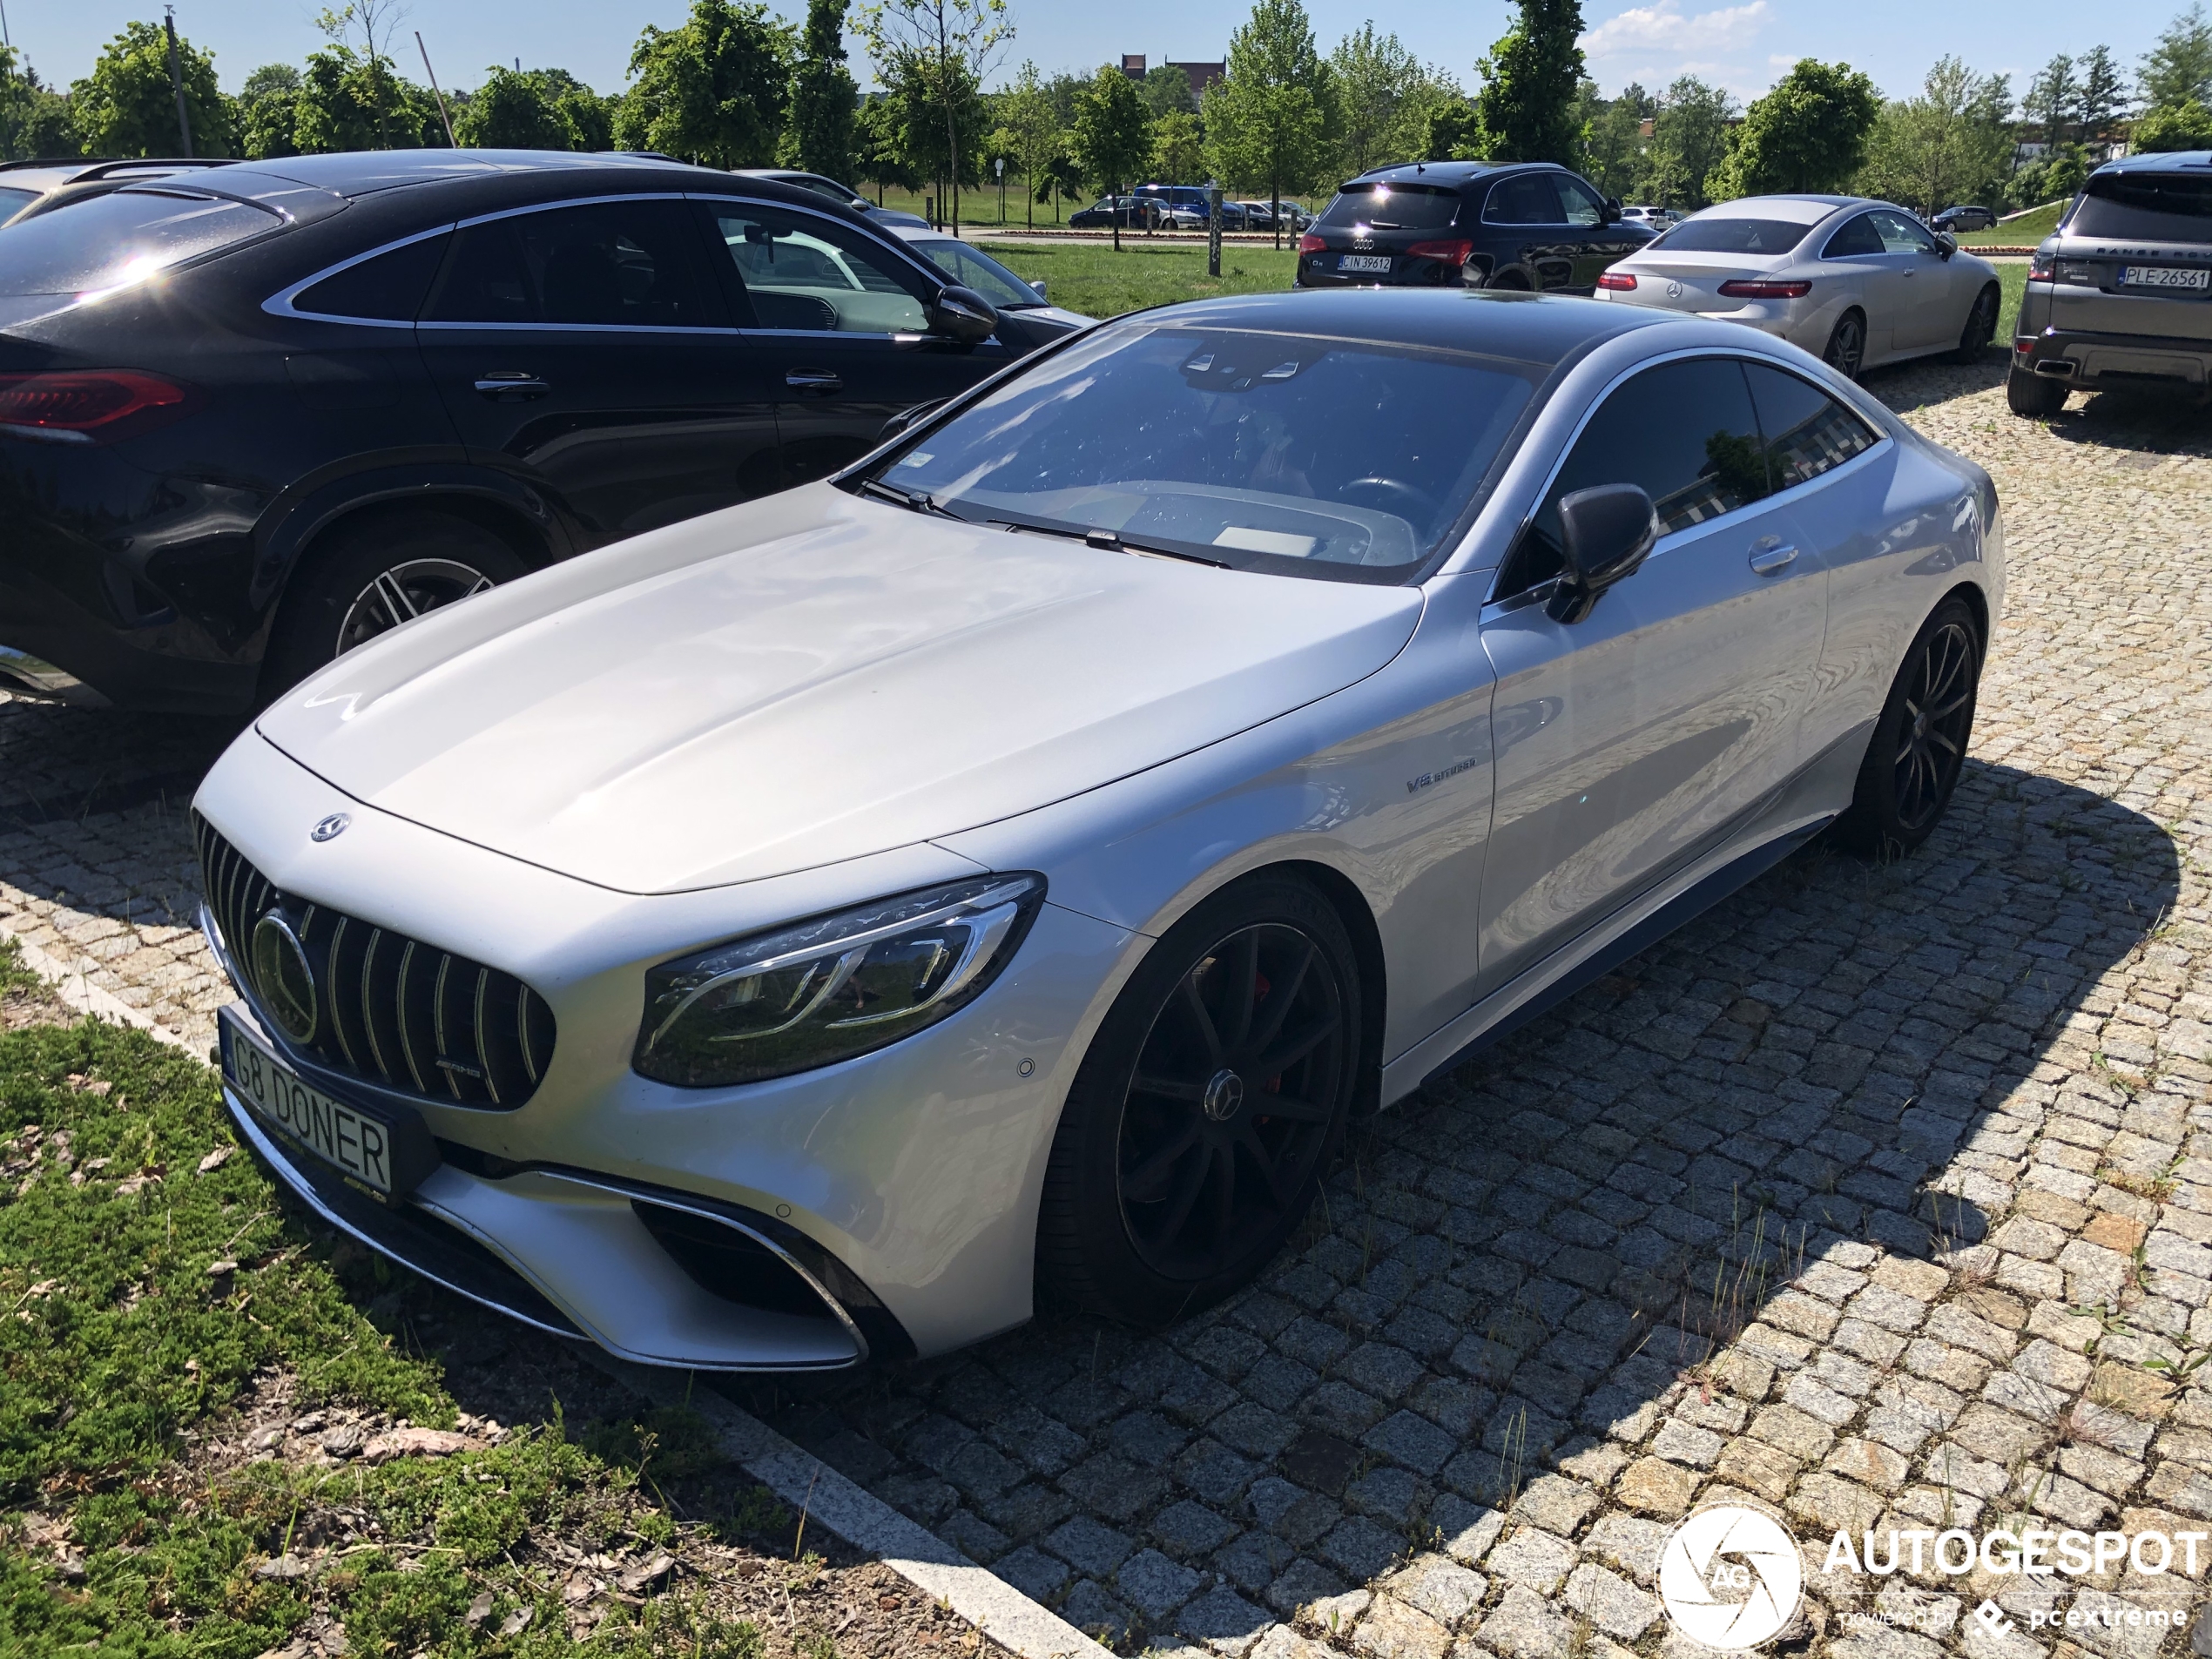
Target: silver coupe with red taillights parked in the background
(1853, 282)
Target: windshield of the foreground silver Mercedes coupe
(1269, 452)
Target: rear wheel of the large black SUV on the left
(362, 576)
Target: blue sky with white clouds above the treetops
(1742, 48)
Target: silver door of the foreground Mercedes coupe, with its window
(1642, 735)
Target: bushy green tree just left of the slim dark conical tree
(711, 90)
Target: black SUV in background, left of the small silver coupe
(1530, 227)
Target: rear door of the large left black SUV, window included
(585, 348)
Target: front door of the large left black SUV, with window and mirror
(839, 320)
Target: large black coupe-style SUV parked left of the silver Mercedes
(258, 415)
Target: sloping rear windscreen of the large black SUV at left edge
(123, 238)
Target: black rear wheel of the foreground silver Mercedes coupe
(1921, 740)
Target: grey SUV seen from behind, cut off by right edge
(2122, 291)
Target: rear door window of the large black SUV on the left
(612, 264)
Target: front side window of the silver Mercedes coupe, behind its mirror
(1682, 430)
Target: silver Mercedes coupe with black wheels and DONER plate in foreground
(826, 928)
